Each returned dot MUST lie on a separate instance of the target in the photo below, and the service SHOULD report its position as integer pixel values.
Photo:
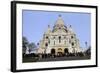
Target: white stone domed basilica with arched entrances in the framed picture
(61, 39)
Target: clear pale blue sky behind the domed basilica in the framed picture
(35, 23)
